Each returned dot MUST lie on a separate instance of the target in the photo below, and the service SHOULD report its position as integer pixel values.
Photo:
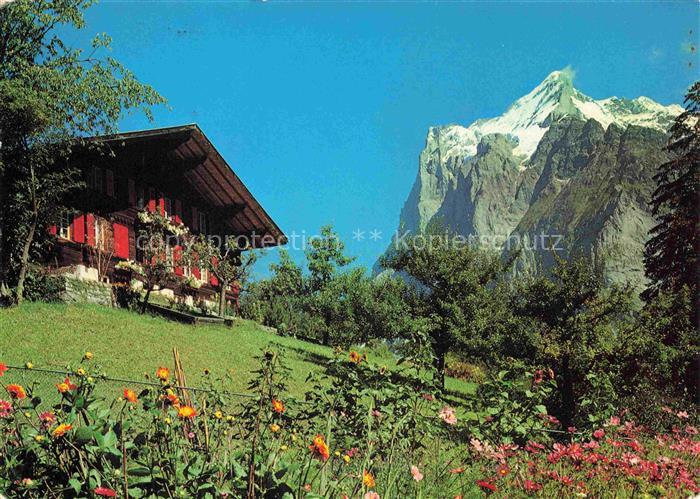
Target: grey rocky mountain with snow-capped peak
(556, 169)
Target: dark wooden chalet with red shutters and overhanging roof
(175, 171)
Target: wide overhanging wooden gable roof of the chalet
(210, 176)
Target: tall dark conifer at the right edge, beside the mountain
(672, 255)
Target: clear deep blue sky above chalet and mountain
(322, 107)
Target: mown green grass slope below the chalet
(129, 345)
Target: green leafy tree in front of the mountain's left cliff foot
(456, 282)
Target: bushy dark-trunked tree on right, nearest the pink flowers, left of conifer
(574, 326)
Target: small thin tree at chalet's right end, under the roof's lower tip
(226, 261)
